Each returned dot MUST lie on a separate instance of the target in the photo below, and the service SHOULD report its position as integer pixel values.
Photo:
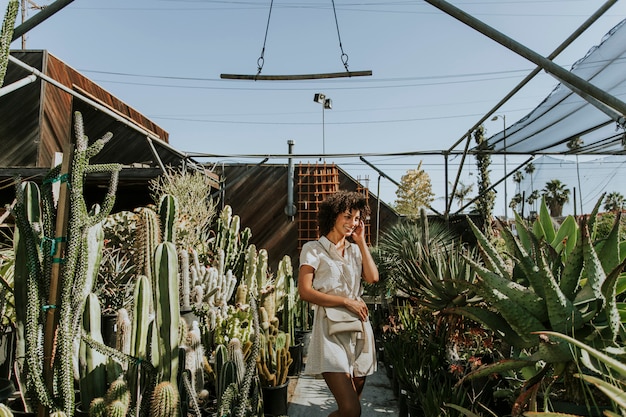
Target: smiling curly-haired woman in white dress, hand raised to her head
(331, 270)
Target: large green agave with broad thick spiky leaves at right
(563, 281)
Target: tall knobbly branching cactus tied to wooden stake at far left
(72, 271)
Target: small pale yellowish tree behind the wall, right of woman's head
(415, 191)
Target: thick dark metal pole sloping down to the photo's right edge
(586, 89)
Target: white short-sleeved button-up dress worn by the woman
(352, 353)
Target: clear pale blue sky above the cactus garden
(433, 76)
